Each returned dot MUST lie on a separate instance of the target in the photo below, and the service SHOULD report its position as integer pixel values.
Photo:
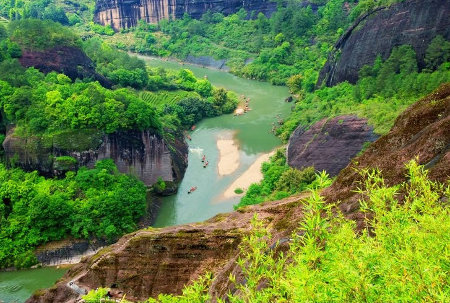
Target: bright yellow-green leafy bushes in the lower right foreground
(401, 256)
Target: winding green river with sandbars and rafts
(251, 131)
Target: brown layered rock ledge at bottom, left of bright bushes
(150, 262)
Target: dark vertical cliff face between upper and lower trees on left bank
(142, 153)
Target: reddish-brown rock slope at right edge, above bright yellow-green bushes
(422, 131)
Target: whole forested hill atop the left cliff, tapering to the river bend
(45, 104)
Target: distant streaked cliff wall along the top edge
(126, 13)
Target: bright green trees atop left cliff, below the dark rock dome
(47, 104)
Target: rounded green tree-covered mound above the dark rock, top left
(40, 35)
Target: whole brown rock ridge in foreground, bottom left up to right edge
(149, 262)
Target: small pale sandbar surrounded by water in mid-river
(228, 156)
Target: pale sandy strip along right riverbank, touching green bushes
(252, 175)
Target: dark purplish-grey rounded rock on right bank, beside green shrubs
(329, 144)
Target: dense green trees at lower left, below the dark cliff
(99, 202)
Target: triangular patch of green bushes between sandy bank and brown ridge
(281, 181)
